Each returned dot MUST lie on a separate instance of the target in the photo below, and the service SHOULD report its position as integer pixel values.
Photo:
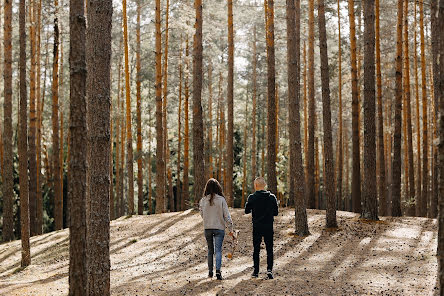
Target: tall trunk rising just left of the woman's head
(198, 137)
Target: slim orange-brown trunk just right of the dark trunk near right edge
(411, 170)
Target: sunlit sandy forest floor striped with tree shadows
(166, 255)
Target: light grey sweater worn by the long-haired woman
(215, 216)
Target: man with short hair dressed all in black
(263, 206)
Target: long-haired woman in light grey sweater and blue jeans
(214, 211)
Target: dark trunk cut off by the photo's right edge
(440, 98)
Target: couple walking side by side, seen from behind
(214, 211)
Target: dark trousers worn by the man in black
(266, 233)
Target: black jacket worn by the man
(263, 205)
